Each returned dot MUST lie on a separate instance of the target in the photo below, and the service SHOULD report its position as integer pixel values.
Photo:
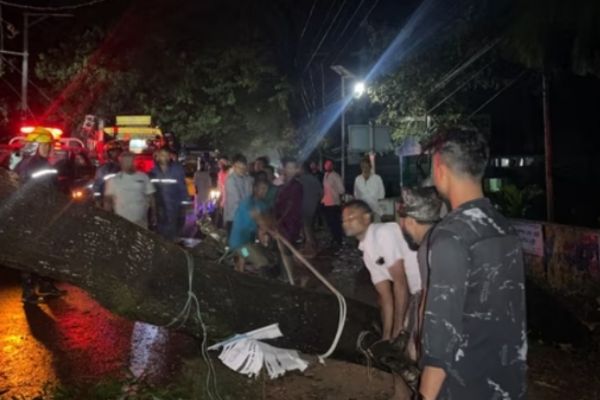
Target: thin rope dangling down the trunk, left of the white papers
(184, 315)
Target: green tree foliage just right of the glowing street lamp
(415, 90)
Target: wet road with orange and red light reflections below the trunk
(72, 340)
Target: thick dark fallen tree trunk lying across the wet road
(134, 273)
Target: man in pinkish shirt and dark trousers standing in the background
(333, 190)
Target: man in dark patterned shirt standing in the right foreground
(474, 329)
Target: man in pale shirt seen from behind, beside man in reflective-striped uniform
(130, 193)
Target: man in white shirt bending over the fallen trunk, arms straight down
(393, 268)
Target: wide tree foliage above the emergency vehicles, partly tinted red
(216, 95)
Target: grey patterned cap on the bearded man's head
(420, 203)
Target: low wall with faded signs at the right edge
(564, 258)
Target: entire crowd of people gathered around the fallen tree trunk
(452, 281)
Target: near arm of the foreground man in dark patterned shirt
(442, 328)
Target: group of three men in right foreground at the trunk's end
(454, 283)
